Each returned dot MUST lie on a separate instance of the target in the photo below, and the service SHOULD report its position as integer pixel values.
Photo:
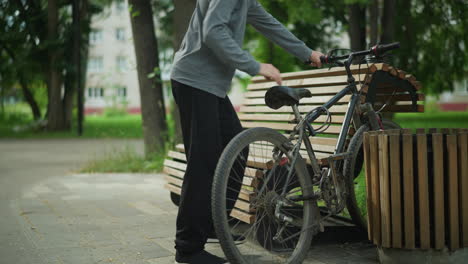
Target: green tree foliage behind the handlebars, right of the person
(432, 34)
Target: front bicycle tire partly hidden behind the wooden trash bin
(352, 169)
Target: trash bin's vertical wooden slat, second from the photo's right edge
(453, 192)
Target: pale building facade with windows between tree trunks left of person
(112, 79)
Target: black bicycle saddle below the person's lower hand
(278, 96)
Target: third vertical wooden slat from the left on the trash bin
(395, 183)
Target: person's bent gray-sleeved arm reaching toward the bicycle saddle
(216, 35)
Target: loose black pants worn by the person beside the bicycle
(208, 124)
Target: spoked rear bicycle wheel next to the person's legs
(254, 182)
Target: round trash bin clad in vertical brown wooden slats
(417, 190)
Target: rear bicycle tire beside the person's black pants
(220, 185)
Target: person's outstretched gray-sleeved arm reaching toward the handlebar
(272, 29)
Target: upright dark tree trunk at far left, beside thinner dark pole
(55, 120)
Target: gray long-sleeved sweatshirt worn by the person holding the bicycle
(211, 49)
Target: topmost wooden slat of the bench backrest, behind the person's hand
(334, 71)
